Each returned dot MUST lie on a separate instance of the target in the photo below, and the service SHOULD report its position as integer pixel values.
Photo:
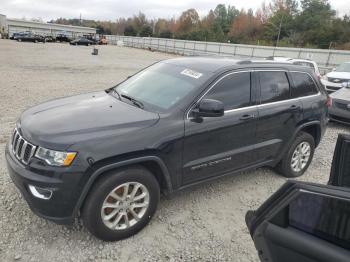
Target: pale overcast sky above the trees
(113, 9)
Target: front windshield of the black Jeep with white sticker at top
(162, 85)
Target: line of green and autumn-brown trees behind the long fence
(293, 23)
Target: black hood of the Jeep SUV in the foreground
(59, 123)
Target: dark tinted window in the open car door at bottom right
(322, 216)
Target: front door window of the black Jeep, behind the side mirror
(233, 91)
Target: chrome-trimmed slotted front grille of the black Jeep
(22, 149)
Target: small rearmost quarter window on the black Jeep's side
(303, 85)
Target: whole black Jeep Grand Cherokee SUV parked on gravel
(107, 155)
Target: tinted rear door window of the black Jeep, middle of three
(274, 87)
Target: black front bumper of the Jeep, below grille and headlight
(65, 187)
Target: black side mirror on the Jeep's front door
(209, 108)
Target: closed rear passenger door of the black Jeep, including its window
(279, 114)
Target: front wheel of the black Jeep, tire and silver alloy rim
(121, 203)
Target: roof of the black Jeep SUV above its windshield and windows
(216, 63)
